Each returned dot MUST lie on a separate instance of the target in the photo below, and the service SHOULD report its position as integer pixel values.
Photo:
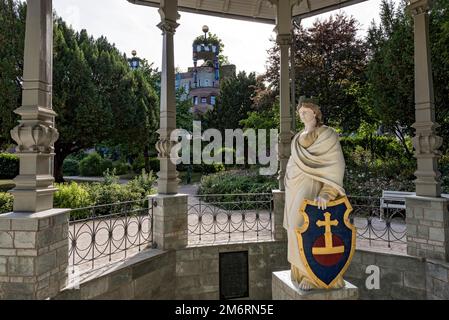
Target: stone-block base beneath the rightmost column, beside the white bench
(427, 227)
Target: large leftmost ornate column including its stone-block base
(33, 238)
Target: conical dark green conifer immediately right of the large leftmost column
(84, 114)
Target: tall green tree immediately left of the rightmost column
(390, 72)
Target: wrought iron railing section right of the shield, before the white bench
(376, 224)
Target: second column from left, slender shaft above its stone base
(167, 176)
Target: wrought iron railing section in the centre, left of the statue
(230, 217)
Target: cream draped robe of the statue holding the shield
(315, 168)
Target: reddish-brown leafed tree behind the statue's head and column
(329, 61)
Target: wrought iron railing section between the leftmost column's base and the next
(103, 233)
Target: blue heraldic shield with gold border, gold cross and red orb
(326, 240)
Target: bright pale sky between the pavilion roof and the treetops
(133, 27)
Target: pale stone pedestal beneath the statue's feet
(284, 289)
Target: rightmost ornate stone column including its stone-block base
(427, 213)
